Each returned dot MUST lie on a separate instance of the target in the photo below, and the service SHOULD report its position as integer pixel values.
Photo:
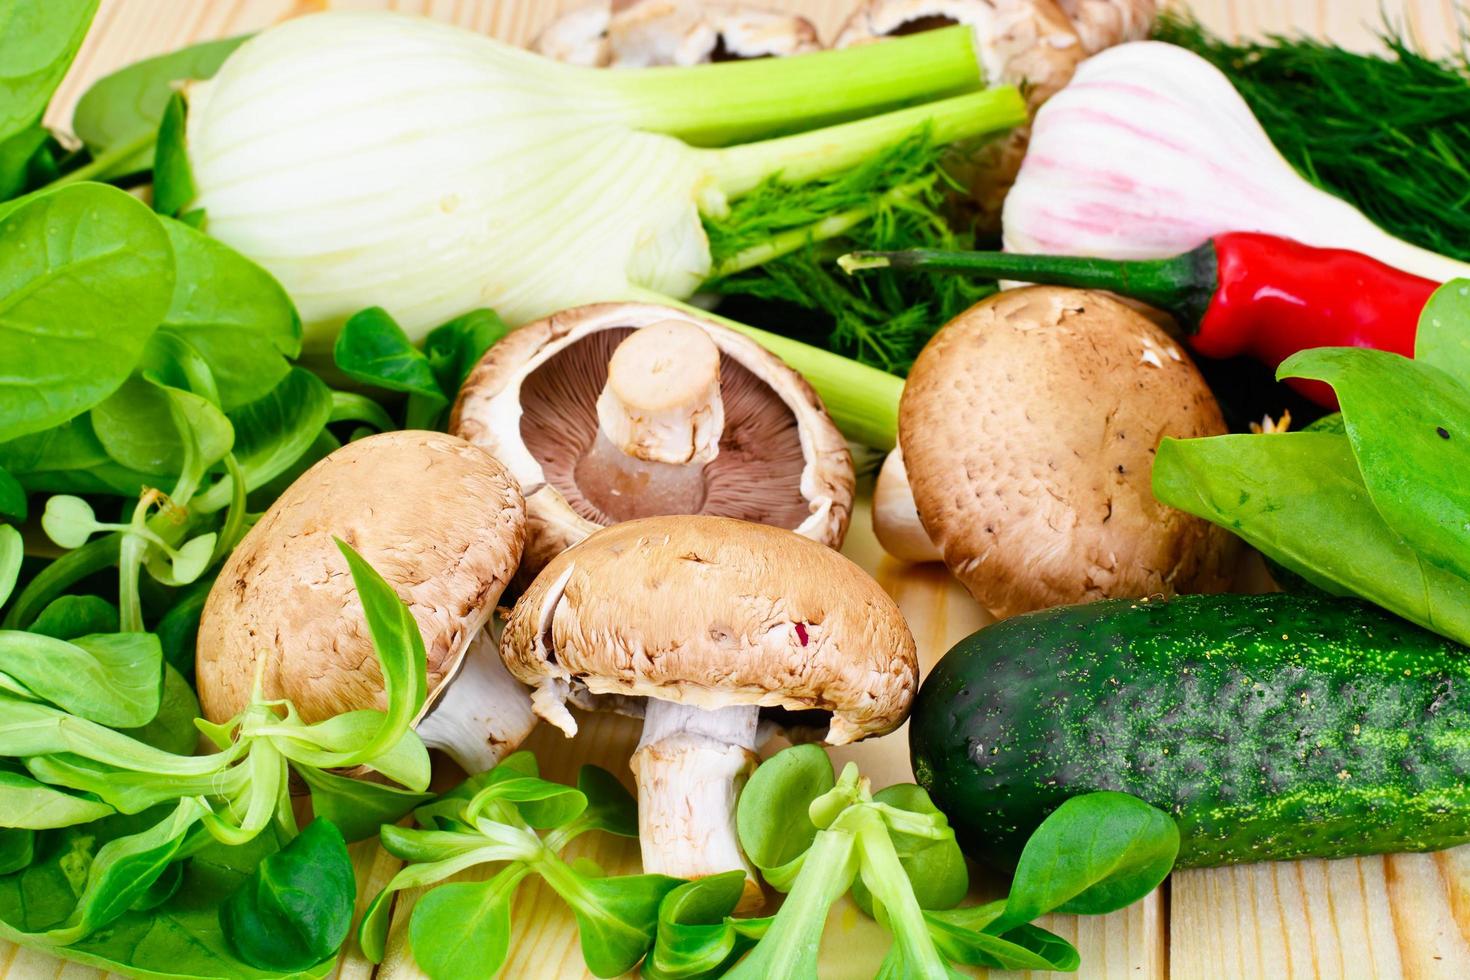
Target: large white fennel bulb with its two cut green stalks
(374, 159)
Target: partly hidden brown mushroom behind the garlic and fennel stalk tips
(1031, 43)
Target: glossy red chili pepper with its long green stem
(1238, 295)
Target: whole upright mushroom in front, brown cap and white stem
(718, 631)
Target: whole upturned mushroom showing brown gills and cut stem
(614, 412)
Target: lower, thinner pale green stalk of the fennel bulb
(808, 156)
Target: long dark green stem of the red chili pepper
(1184, 286)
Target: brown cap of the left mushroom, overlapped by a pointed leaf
(437, 518)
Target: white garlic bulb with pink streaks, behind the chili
(1150, 152)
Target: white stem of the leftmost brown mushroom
(484, 713)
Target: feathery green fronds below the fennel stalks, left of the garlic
(878, 320)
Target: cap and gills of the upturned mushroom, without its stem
(533, 403)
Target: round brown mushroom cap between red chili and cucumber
(1030, 427)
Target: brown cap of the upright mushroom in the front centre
(712, 612)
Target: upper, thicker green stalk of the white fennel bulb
(718, 105)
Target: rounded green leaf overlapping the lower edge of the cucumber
(1093, 856)
